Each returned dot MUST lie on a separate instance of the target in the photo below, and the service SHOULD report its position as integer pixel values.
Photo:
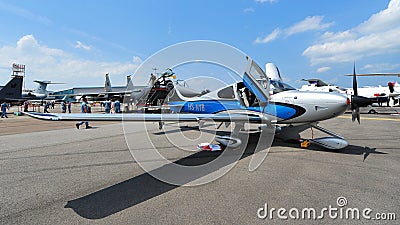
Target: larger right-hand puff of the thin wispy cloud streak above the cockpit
(308, 24)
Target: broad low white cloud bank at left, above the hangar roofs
(54, 64)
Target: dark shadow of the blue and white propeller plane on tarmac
(136, 190)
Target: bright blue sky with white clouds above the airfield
(77, 42)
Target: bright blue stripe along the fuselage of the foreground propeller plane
(282, 111)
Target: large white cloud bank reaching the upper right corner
(376, 36)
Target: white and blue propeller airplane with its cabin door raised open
(259, 97)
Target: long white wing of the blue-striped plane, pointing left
(233, 117)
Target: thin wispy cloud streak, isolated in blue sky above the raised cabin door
(308, 24)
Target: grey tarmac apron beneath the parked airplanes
(52, 173)
